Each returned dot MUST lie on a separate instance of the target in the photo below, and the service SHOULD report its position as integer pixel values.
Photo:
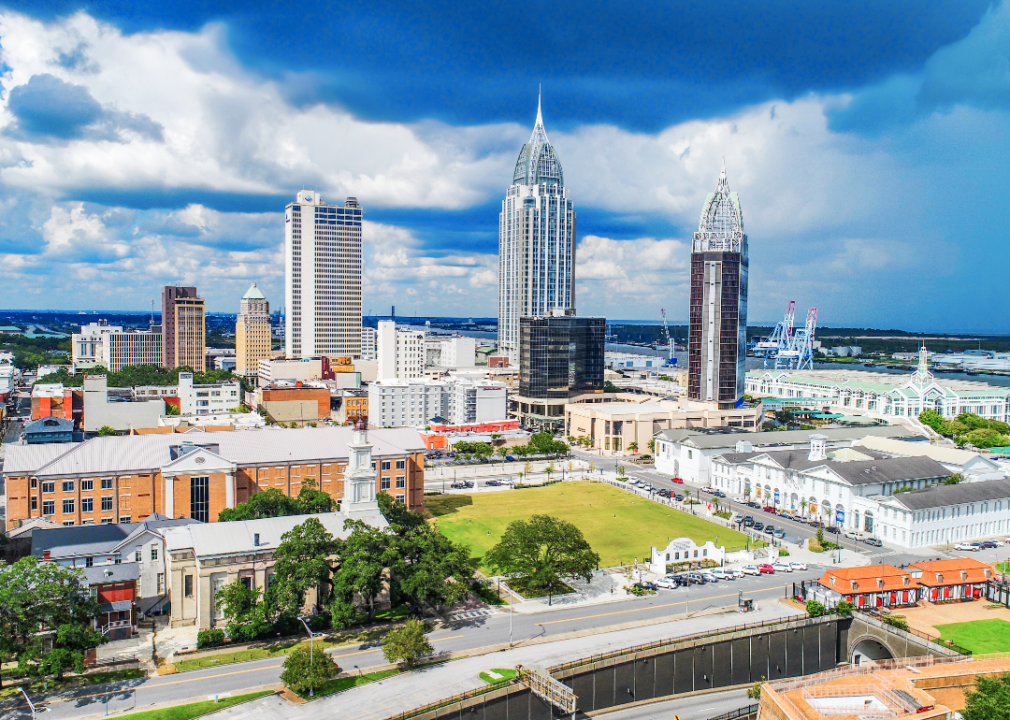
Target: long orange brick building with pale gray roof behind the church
(120, 478)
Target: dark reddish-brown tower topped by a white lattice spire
(718, 339)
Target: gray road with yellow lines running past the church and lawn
(454, 637)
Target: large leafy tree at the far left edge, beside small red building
(46, 596)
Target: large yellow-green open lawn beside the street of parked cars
(619, 526)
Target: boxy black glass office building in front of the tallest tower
(561, 357)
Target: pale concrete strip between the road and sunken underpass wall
(390, 697)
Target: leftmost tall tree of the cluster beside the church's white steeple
(301, 564)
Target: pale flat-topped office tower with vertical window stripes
(323, 283)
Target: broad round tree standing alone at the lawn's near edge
(543, 553)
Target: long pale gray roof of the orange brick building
(137, 454)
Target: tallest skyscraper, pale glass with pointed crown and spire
(536, 242)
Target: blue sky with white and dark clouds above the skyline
(144, 144)
